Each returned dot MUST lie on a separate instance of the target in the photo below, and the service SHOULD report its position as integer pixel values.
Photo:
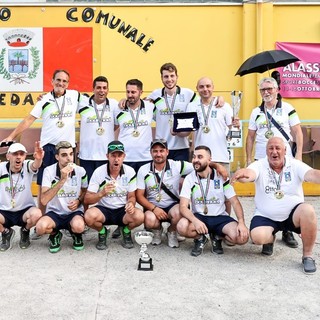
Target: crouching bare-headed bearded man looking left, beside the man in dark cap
(206, 191)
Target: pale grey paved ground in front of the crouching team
(241, 284)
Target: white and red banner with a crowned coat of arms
(29, 56)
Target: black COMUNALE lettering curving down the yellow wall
(129, 32)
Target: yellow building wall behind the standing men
(210, 39)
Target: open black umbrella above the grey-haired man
(265, 61)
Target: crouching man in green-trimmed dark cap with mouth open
(112, 189)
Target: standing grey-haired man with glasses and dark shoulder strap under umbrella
(273, 117)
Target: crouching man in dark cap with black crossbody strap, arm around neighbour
(158, 191)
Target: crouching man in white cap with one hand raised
(17, 206)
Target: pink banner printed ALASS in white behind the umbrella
(301, 79)
